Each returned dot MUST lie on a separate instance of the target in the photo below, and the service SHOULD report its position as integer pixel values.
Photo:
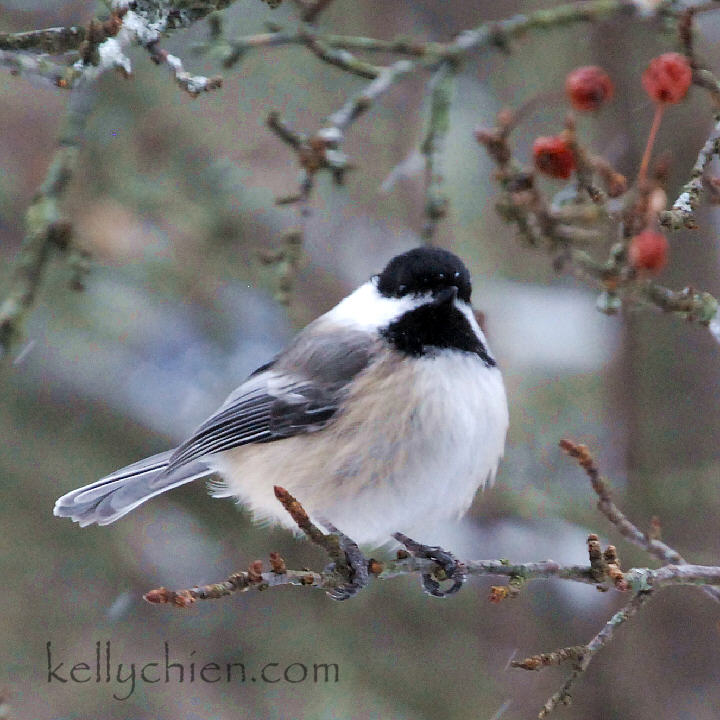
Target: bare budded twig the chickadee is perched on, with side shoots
(603, 571)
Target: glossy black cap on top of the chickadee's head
(423, 270)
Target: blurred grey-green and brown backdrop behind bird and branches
(174, 198)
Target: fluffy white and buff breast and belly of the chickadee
(408, 451)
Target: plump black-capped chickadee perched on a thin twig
(385, 414)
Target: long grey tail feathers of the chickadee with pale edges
(115, 495)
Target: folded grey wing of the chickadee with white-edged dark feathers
(299, 392)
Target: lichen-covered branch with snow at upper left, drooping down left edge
(99, 47)
